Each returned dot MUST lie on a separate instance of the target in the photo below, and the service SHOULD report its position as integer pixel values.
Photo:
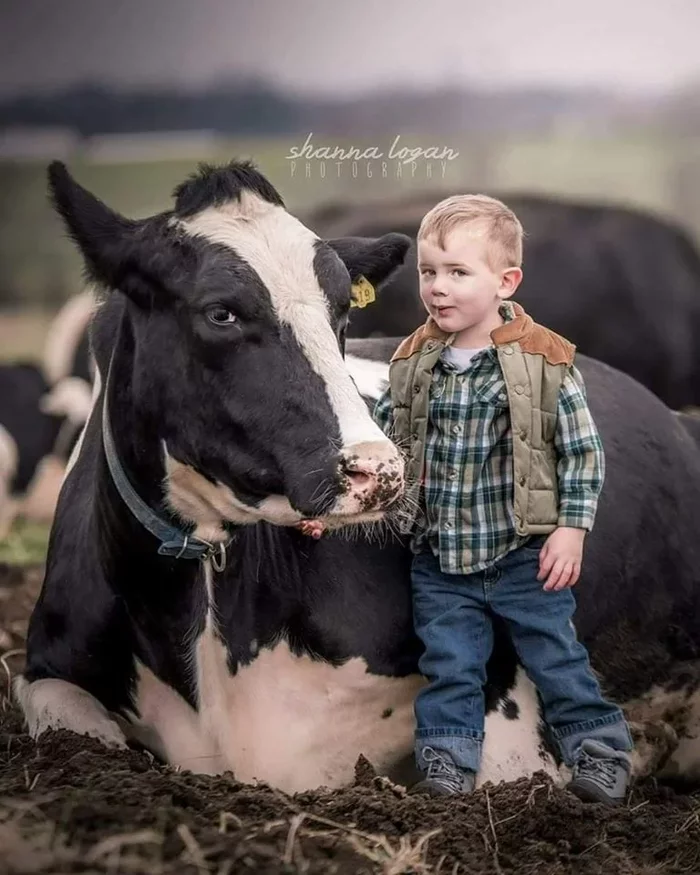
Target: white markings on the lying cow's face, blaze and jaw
(281, 250)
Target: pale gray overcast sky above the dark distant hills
(350, 45)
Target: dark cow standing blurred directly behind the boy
(624, 286)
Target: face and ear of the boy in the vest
(460, 286)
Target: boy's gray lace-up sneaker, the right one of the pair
(600, 774)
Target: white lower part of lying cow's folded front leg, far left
(50, 703)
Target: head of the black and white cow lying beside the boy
(238, 315)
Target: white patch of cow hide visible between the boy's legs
(512, 748)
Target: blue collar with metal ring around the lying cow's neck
(174, 540)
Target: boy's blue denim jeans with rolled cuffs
(451, 615)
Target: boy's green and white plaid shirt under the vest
(466, 512)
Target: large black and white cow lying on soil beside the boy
(180, 607)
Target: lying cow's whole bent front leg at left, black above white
(80, 661)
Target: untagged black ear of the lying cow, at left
(116, 250)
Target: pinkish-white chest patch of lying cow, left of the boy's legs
(298, 723)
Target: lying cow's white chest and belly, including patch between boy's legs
(297, 723)
